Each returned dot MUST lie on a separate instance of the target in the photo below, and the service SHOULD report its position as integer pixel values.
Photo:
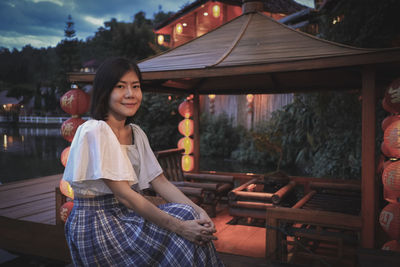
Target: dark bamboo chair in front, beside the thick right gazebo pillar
(322, 226)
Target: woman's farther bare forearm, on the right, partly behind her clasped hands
(172, 194)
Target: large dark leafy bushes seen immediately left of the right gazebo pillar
(319, 135)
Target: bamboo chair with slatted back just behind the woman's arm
(210, 188)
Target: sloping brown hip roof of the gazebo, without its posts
(259, 54)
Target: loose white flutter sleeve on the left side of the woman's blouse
(96, 153)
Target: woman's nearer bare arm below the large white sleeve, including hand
(192, 230)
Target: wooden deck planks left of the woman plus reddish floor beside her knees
(28, 226)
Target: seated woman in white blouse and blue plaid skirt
(110, 161)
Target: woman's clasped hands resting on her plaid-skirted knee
(196, 231)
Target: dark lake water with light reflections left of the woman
(27, 153)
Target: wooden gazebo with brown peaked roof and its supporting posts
(256, 54)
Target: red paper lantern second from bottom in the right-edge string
(390, 220)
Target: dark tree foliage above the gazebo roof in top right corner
(363, 23)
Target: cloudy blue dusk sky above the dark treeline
(41, 23)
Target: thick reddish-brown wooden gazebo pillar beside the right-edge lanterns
(368, 183)
